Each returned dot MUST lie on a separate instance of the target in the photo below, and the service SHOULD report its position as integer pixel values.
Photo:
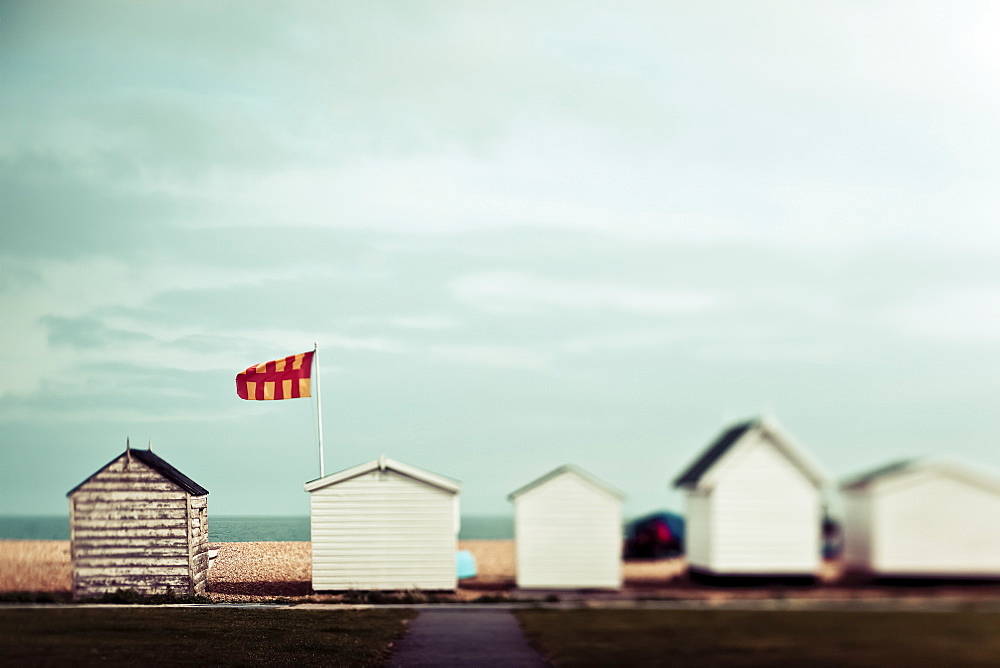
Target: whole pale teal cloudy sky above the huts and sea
(523, 234)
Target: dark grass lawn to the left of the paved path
(144, 636)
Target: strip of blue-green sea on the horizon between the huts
(242, 528)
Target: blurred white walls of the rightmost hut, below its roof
(928, 523)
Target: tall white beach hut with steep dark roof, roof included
(754, 505)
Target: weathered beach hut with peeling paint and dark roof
(138, 523)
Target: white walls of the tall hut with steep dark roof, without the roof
(764, 515)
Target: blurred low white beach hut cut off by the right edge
(933, 517)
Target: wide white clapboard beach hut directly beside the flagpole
(383, 525)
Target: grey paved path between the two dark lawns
(463, 637)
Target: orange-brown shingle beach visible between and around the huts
(256, 571)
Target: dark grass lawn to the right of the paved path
(737, 638)
